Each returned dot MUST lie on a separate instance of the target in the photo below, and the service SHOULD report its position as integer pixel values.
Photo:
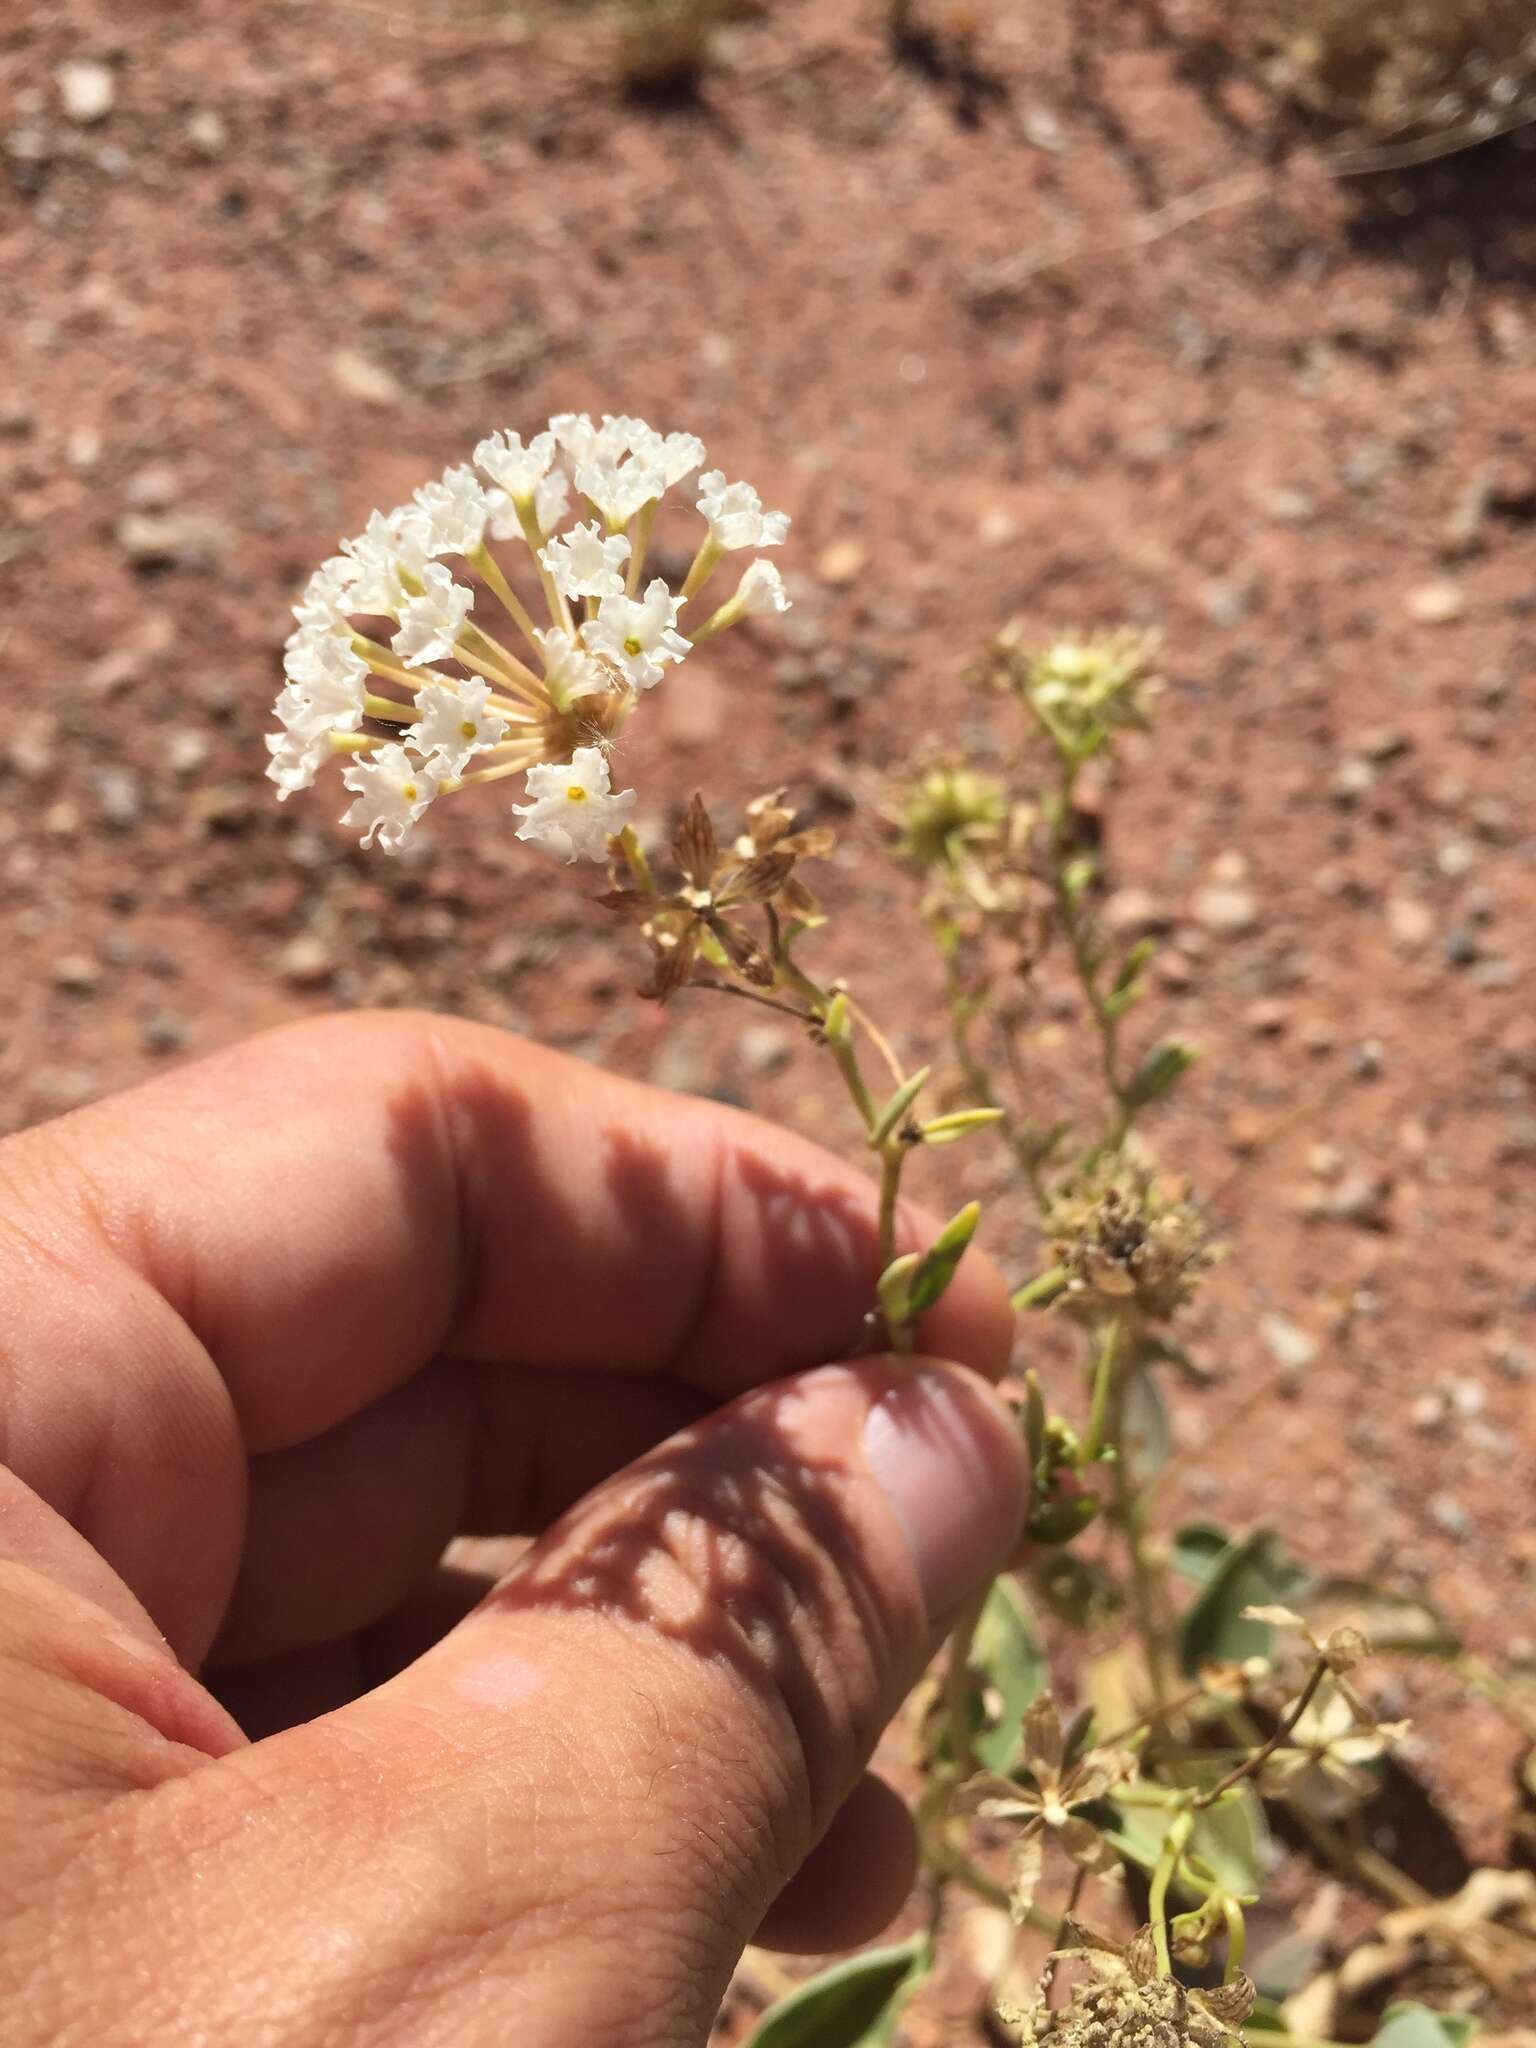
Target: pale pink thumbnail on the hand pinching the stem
(951, 1463)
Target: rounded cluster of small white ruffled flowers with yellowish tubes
(392, 669)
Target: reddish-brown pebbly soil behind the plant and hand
(269, 267)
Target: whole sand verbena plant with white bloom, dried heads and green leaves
(505, 626)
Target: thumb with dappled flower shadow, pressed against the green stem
(577, 1809)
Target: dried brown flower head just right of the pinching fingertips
(1125, 1240)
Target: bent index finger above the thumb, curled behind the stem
(333, 1205)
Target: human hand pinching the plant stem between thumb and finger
(286, 1324)
